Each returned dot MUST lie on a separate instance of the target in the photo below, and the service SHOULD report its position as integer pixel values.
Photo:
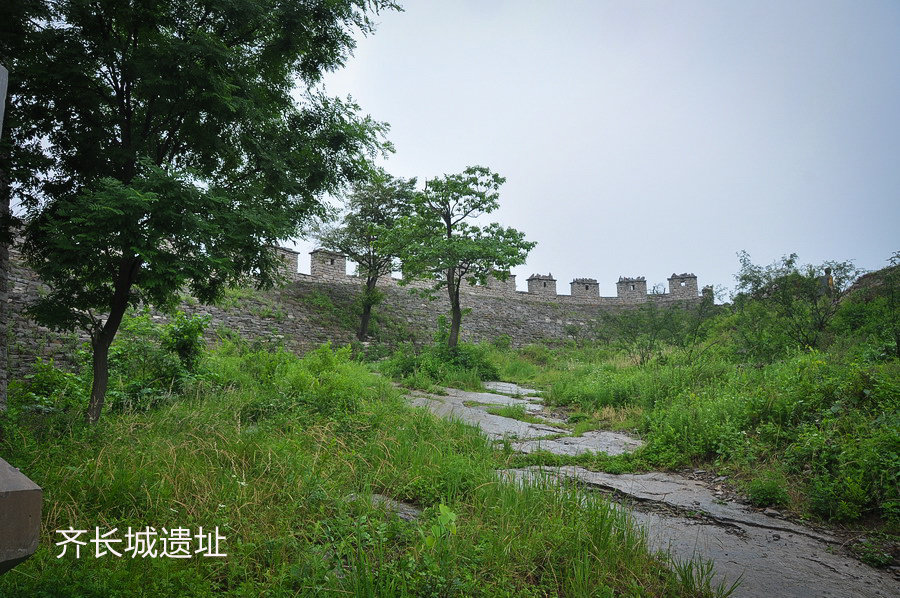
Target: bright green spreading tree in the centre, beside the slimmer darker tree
(438, 242)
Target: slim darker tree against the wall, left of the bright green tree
(372, 210)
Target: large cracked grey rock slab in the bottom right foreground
(772, 557)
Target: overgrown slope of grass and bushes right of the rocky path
(810, 430)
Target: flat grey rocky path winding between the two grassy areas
(772, 556)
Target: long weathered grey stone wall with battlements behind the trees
(286, 316)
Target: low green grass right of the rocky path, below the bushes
(826, 421)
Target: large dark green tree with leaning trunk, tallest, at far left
(158, 145)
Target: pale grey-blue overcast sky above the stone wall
(642, 138)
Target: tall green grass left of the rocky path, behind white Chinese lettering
(270, 447)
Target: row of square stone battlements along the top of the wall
(329, 266)
